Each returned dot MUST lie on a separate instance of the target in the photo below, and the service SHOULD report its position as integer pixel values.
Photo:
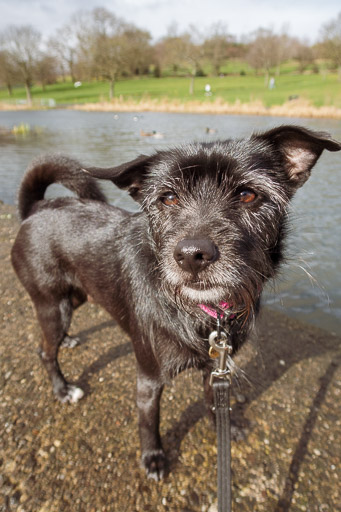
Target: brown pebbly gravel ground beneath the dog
(85, 457)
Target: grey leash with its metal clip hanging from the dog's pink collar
(220, 381)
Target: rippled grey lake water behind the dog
(309, 286)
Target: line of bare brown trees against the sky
(97, 45)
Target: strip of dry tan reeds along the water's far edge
(295, 108)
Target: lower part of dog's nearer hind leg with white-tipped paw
(54, 318)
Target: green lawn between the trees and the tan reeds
(317, 89)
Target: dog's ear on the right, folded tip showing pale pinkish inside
(300, 149)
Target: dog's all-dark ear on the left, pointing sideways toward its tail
(129, 175)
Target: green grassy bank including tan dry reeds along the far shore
(237, 94)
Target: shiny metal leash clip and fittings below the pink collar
(220, 347)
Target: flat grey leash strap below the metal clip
(221, 391)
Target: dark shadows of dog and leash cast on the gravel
(277, 353)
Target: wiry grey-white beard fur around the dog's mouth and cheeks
(237, 279)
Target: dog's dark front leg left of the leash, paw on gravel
(149, 390)
